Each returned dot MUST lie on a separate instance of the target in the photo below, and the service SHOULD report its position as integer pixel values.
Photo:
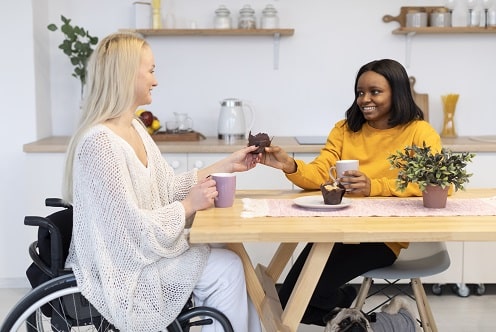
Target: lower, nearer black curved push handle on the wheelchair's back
(57, 261)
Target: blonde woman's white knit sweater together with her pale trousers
(129, 251)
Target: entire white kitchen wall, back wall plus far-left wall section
(310, 91)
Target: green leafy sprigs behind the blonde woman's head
(77, 45)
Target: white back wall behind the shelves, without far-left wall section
(317, 65)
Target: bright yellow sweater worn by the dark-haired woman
(371, 147)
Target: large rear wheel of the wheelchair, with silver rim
(56, 305)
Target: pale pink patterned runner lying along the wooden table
(370, 207)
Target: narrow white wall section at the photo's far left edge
(17, 86)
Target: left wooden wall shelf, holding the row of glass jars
(213, 32)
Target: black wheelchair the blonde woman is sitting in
(55, 302)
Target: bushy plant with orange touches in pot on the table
(432, 172)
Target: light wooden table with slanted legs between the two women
(226, 226)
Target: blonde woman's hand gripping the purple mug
(200, 197)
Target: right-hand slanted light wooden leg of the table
(305, 285)
